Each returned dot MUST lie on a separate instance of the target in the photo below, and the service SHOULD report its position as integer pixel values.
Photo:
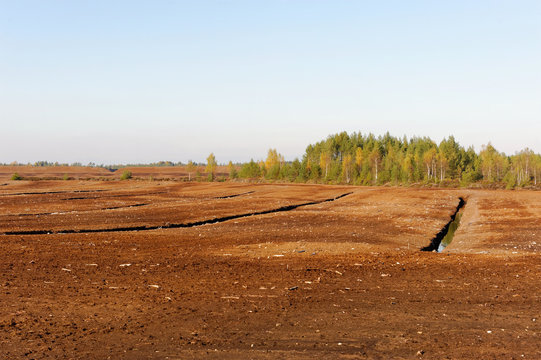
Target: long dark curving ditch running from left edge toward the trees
(173, 226)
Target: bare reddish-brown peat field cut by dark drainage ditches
(340, 279)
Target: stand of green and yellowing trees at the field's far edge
(369, 160)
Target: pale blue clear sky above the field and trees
(111, 82)
